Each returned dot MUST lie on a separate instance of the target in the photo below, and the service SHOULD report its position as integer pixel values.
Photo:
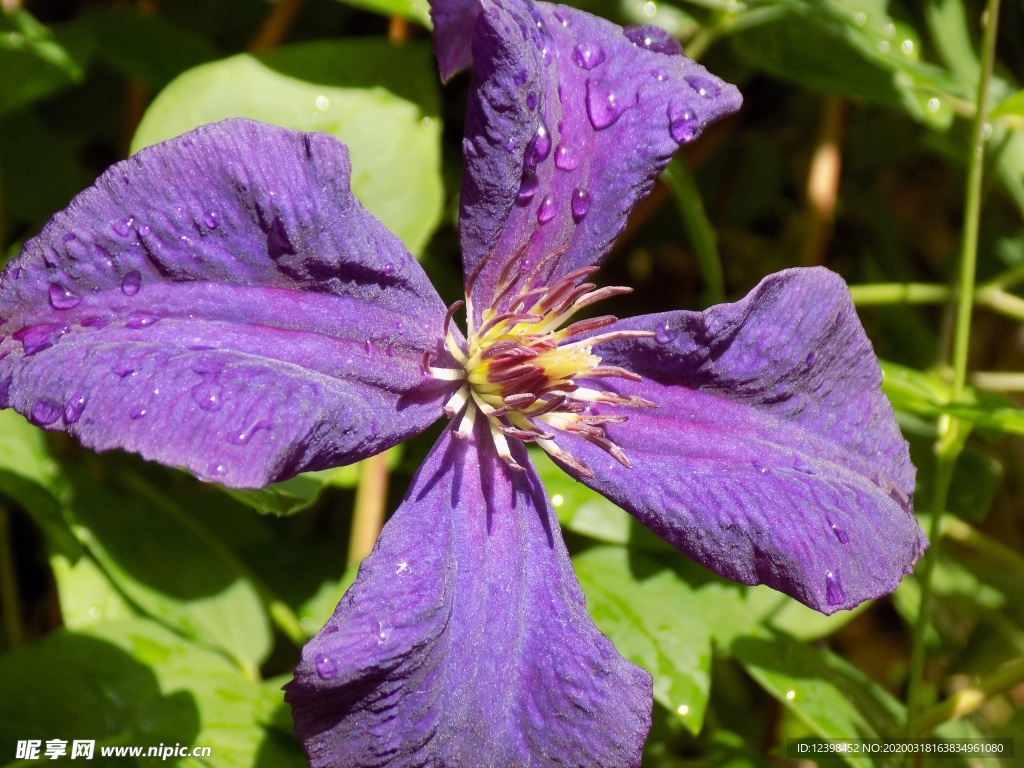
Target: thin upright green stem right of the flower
(952, 433)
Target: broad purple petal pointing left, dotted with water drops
(223, 303)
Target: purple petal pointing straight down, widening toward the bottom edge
(465, 642)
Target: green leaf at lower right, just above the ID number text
(833, 699)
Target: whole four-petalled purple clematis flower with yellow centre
(222, 303)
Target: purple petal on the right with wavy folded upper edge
(774, 457)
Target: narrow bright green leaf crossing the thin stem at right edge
(925, 395)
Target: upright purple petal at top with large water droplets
(571, 119)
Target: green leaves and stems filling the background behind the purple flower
(141, 607)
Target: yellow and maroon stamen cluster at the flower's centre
(524, 369)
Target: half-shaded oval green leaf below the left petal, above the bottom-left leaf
(175, 571)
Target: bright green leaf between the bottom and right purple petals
(655, 622)
